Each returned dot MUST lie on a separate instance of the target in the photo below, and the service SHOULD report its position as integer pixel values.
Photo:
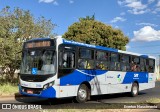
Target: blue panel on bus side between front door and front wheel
(79, 76)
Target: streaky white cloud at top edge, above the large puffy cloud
(135, 6)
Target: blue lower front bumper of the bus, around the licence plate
(47, 93)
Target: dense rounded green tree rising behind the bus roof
(90, 31)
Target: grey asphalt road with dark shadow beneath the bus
(95, 100)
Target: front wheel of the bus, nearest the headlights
(82, 94)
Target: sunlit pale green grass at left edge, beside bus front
(8, 89)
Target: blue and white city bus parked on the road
(59, 68)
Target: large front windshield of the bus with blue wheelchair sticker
(38, 62)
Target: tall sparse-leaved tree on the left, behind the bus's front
(16, 27)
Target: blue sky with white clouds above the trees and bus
(138, 19)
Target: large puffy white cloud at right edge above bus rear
(147, 33)
